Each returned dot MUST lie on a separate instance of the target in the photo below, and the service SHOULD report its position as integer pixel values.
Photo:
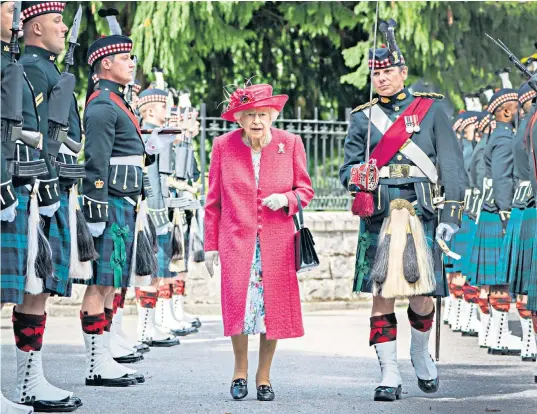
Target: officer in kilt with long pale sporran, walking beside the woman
(403, 199)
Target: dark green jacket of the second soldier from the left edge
(43, 73)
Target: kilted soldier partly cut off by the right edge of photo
(520, 242)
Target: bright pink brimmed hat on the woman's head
(254, 96)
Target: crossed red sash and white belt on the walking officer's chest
(395, 136)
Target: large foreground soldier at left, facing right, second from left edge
(44, 37)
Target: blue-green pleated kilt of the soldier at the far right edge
(518, 262)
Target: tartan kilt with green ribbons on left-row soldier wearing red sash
(112, 268)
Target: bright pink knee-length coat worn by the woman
(234, 216)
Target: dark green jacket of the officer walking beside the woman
(436, 138)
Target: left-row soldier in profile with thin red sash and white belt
(112, 191)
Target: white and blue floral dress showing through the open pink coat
(254, 316)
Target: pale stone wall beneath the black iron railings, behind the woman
(335, 235)
